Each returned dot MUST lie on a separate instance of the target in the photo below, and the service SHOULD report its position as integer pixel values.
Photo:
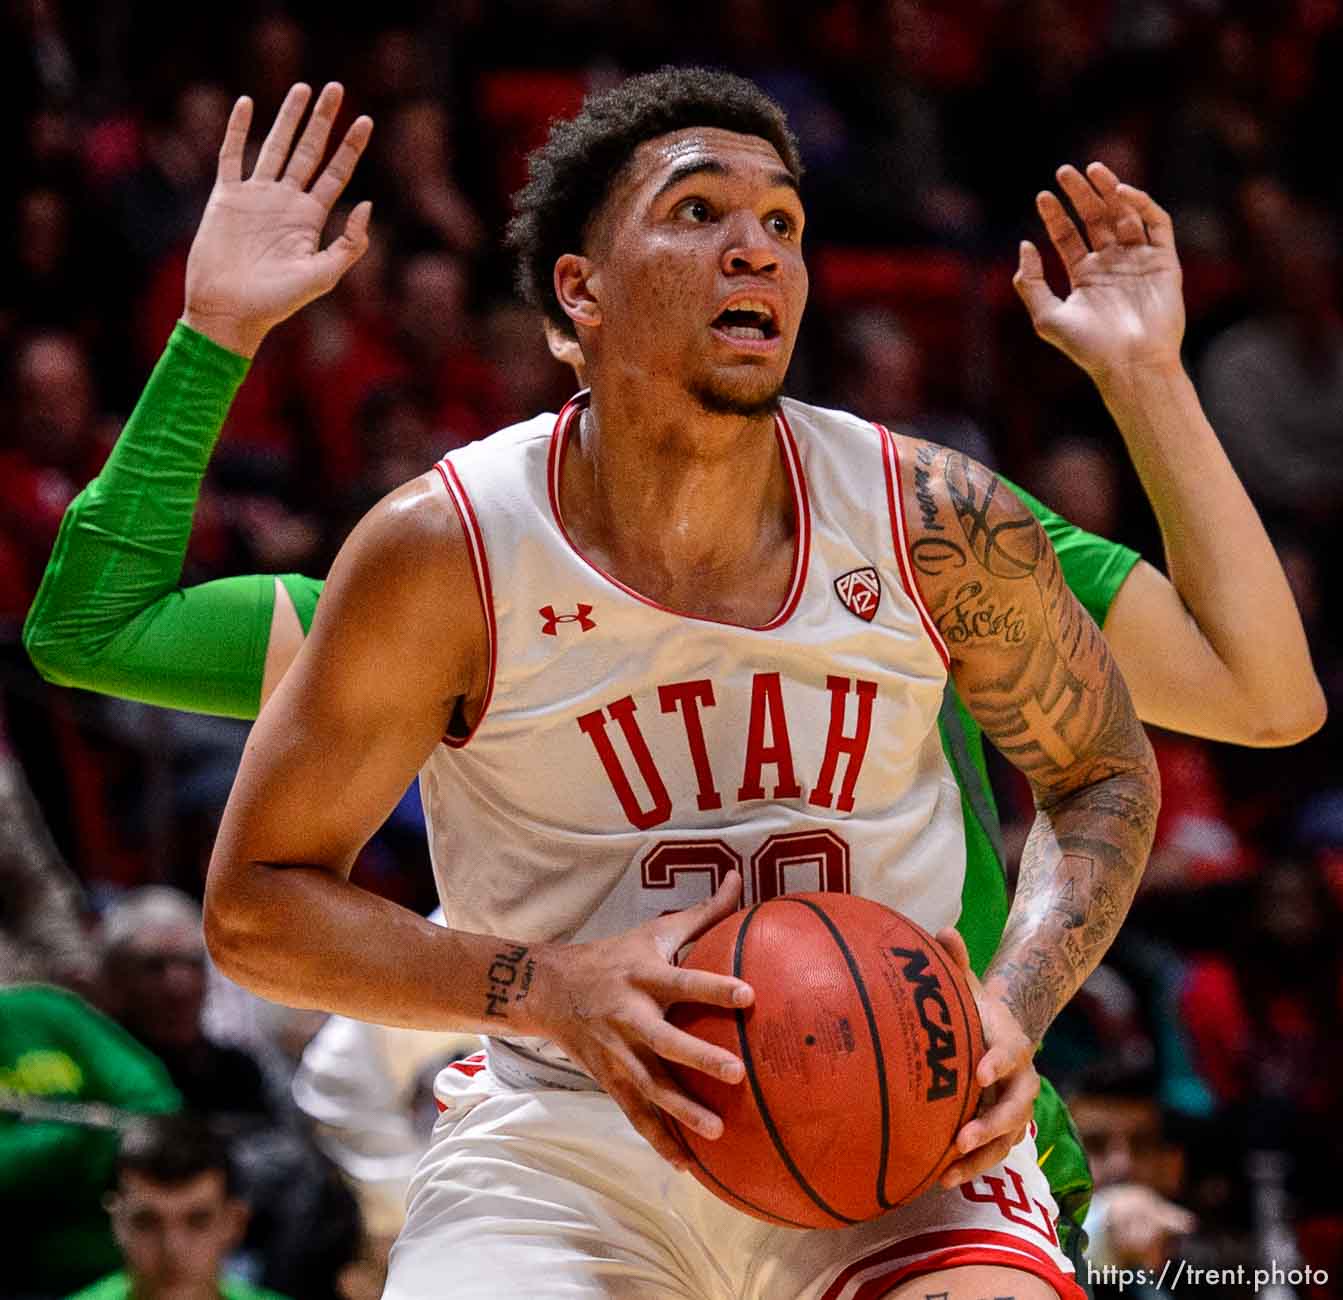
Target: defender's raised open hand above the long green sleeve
(256, 259)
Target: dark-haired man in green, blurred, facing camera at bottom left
(177, 1212)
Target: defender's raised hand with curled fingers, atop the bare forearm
(1125, 304)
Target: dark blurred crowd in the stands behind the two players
(1207, 1056)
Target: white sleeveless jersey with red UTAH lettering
(628, 757)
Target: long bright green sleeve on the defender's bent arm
(111, 614)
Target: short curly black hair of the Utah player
(571, 175)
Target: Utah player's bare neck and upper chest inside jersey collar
(669, 495)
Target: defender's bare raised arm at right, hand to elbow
(1219, 649)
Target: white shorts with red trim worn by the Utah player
(550, 1195)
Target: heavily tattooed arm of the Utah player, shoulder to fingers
(1036, 672)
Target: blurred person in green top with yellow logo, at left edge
(61, 1058)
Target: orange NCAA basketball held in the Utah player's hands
(860, 1055)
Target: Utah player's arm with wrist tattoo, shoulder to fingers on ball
(398, 641)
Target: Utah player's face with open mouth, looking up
(698, 268)
